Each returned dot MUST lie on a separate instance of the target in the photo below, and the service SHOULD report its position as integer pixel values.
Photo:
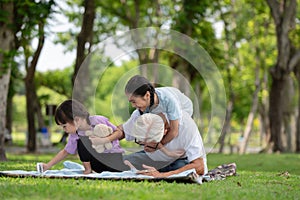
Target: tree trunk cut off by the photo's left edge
(6, 45)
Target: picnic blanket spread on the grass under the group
(75, 170)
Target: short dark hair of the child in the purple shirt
(68, 110)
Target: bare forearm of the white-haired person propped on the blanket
(197, 164)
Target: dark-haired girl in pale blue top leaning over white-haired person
(142, 95)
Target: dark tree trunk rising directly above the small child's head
(81, 77)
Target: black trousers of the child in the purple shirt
(86, 156)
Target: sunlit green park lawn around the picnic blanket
(260, 176)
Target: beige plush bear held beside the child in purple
(101, 130)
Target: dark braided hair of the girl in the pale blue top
(138, 86)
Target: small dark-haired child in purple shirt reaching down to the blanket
(73, 117)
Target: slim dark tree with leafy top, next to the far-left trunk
(30, 22)
